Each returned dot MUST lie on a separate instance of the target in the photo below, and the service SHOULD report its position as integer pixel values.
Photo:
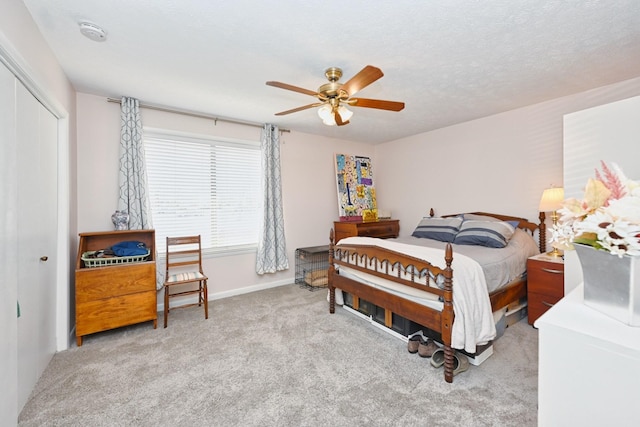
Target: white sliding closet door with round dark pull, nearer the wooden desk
(36, 137)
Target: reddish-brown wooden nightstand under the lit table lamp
(545, 284)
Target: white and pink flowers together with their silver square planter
(605, 228)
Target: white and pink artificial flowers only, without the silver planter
(608, 218)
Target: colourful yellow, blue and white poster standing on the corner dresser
(356, 193)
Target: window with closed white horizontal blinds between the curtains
(204, 186)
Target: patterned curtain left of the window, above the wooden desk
(133, 176)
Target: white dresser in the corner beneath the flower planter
(589, 367)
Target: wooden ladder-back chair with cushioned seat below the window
(184, 270)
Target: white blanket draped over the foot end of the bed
(473, 324)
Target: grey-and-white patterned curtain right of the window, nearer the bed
(272, 249)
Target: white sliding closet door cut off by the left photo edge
(8, 248)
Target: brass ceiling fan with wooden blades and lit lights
(334, 96)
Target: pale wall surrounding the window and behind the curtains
(310, 202)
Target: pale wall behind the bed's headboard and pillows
(500, 163)
